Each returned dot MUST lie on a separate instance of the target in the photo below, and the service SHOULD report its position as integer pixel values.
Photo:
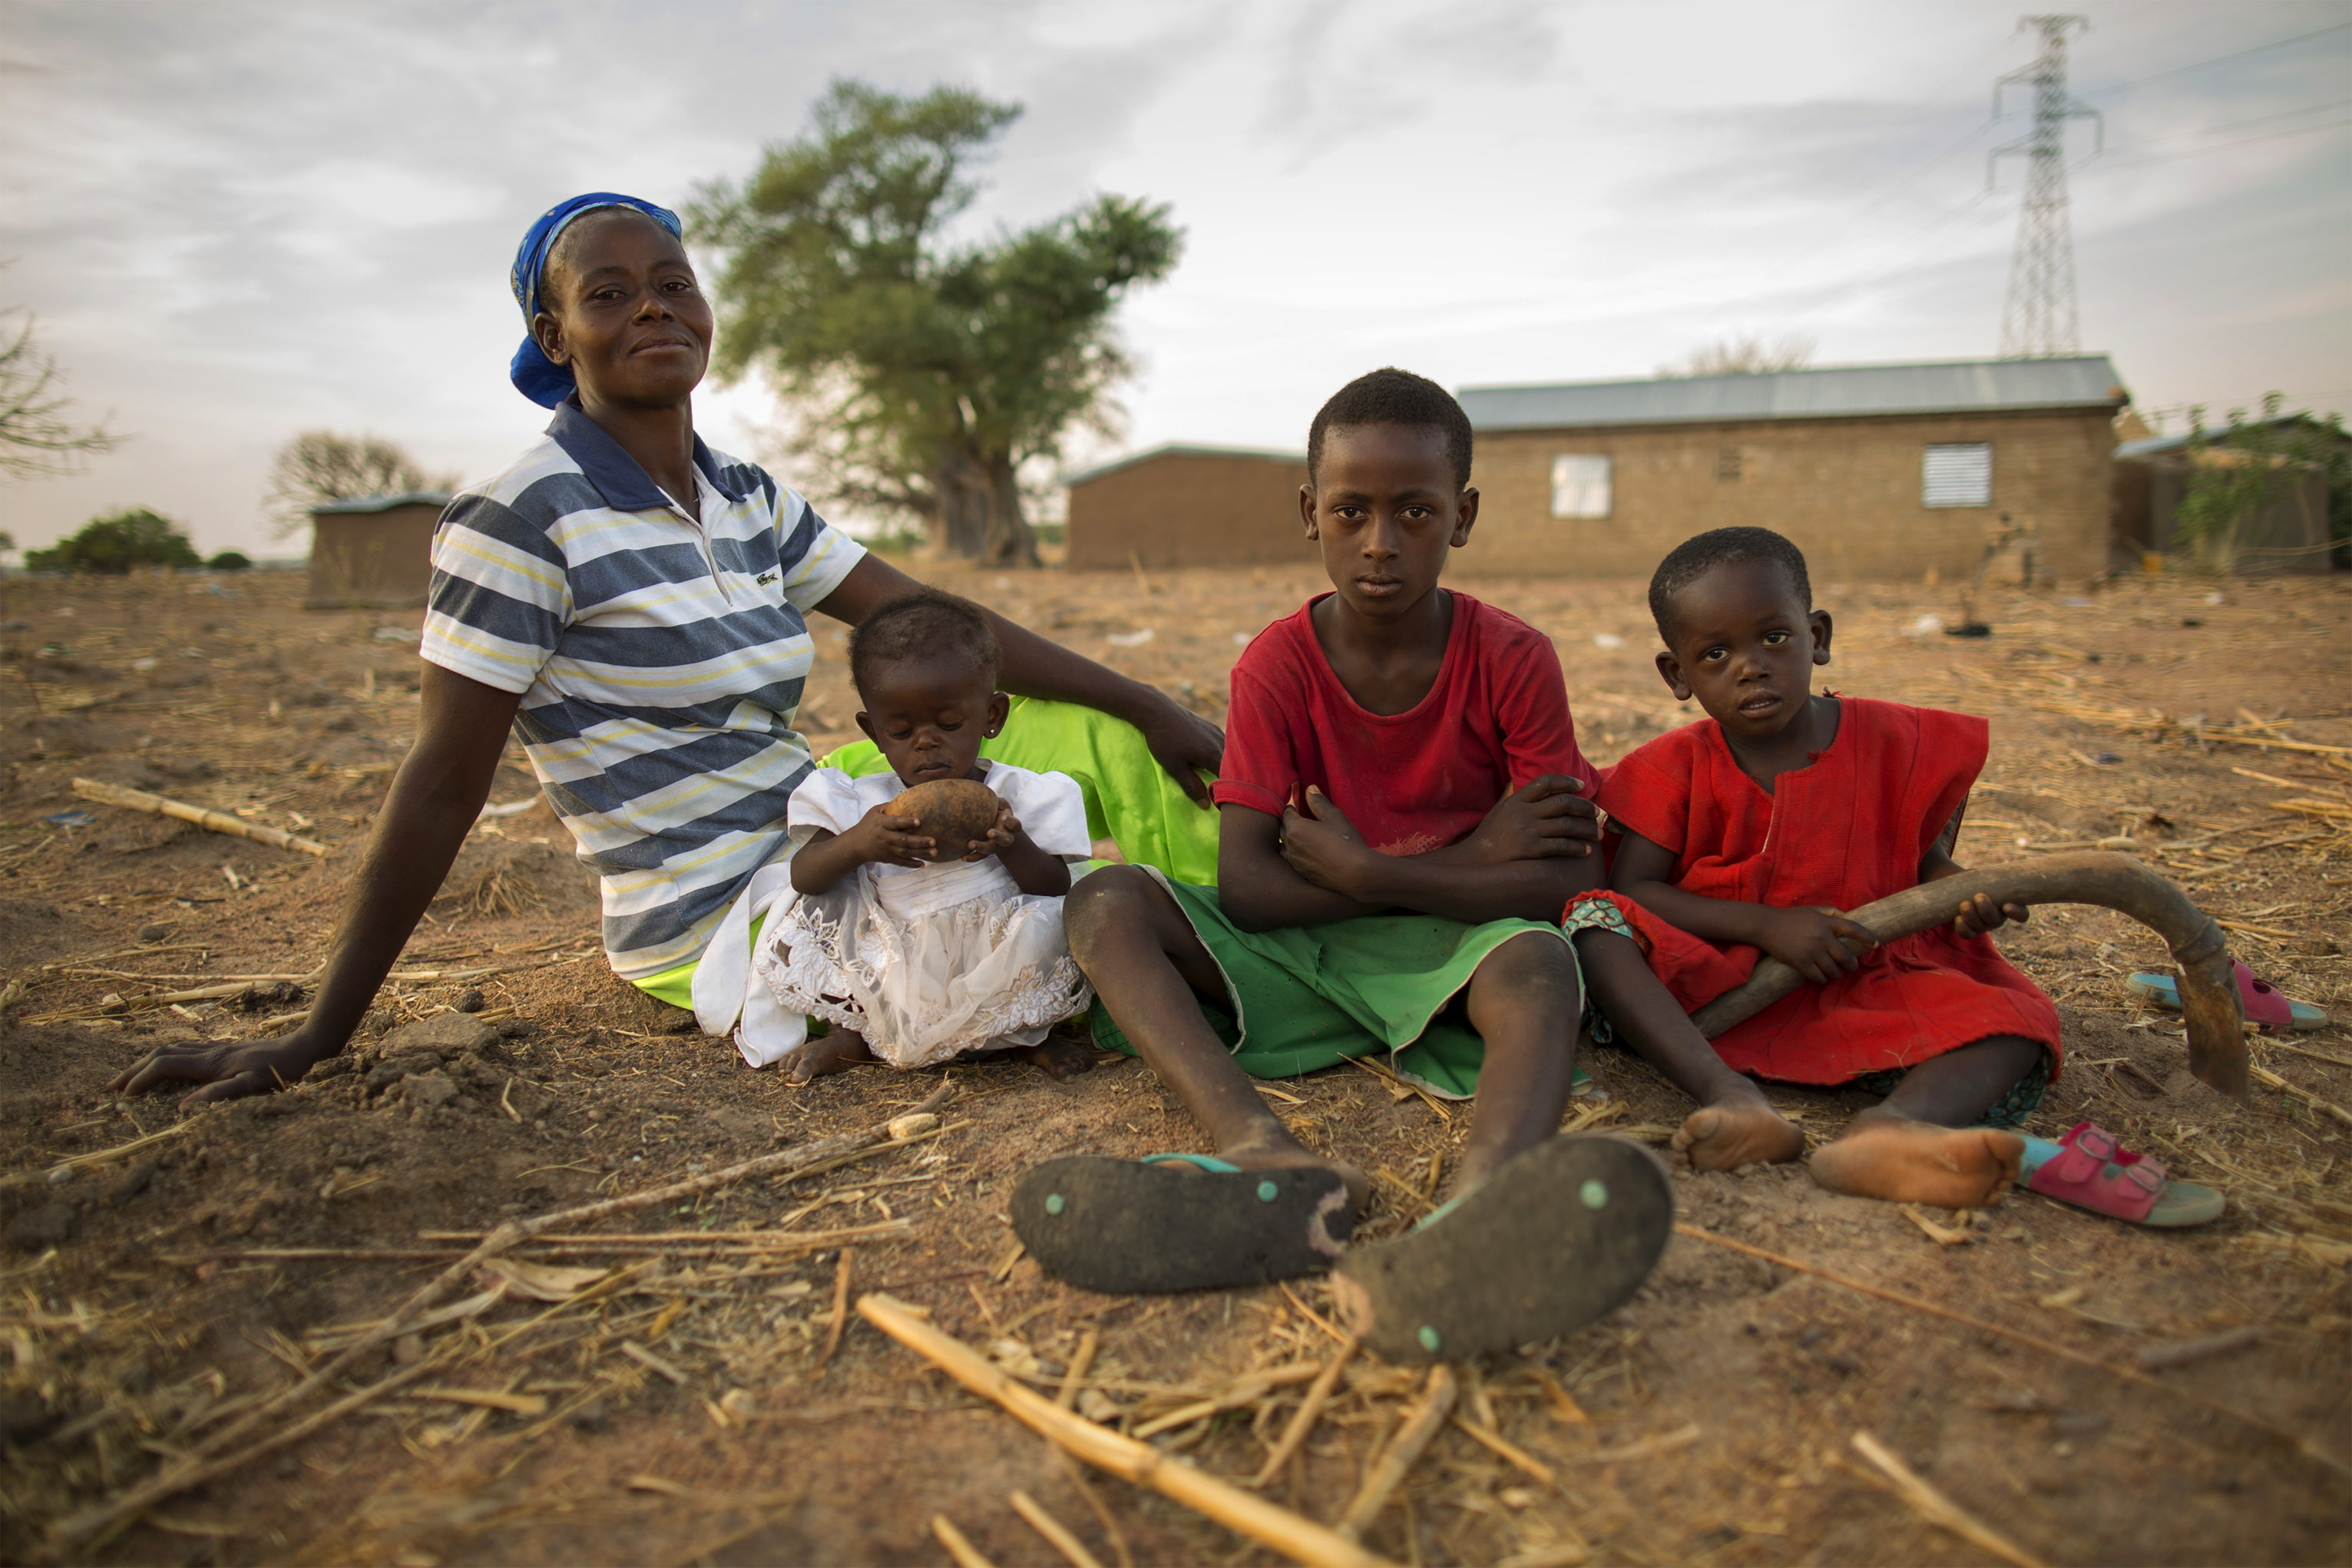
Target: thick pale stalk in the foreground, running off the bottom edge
(1123, 1456)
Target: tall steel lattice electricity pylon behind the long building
(2038, 321)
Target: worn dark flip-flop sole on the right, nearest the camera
(1561, 1238)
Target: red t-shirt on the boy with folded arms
(1422, 779)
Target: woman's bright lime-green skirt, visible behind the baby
(1130, 798)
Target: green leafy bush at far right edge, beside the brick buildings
(2243, 471)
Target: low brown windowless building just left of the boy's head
(1189, 507)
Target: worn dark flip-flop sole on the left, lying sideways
(1125, 1228)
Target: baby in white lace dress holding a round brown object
(909, 960)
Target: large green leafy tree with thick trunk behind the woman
(923, 375)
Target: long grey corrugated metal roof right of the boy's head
(1843, 391)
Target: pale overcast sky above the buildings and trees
(239, 222)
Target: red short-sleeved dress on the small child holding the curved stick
(1840, 833)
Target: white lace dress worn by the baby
(937, 960)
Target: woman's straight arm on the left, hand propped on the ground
(432, 808)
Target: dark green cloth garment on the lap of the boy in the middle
(1307, 998)
